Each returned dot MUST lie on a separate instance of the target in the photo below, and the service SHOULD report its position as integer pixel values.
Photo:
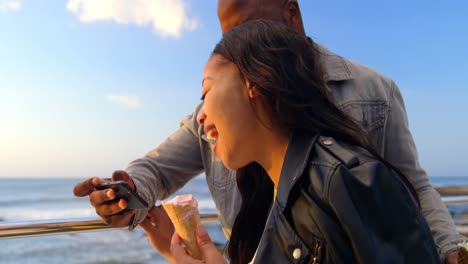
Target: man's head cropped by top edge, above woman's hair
(234, 12)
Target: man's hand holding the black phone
(113, 212)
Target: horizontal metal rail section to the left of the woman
(21, 229)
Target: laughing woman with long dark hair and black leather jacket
(314, 189)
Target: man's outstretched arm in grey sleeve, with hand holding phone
(160, 173)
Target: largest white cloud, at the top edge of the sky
(167, 17)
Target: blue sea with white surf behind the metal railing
(41, 199)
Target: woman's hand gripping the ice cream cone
(210, 253)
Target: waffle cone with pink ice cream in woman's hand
(183, 212)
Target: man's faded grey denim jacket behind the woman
(366, 95)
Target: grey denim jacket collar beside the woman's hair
(334, 66)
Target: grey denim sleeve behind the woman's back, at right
(400, 150)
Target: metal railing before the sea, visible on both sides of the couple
(21, 229)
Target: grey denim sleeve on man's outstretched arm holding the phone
(167, 168)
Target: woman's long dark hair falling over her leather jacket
(284, 67)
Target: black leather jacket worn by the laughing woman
(337, 204)
